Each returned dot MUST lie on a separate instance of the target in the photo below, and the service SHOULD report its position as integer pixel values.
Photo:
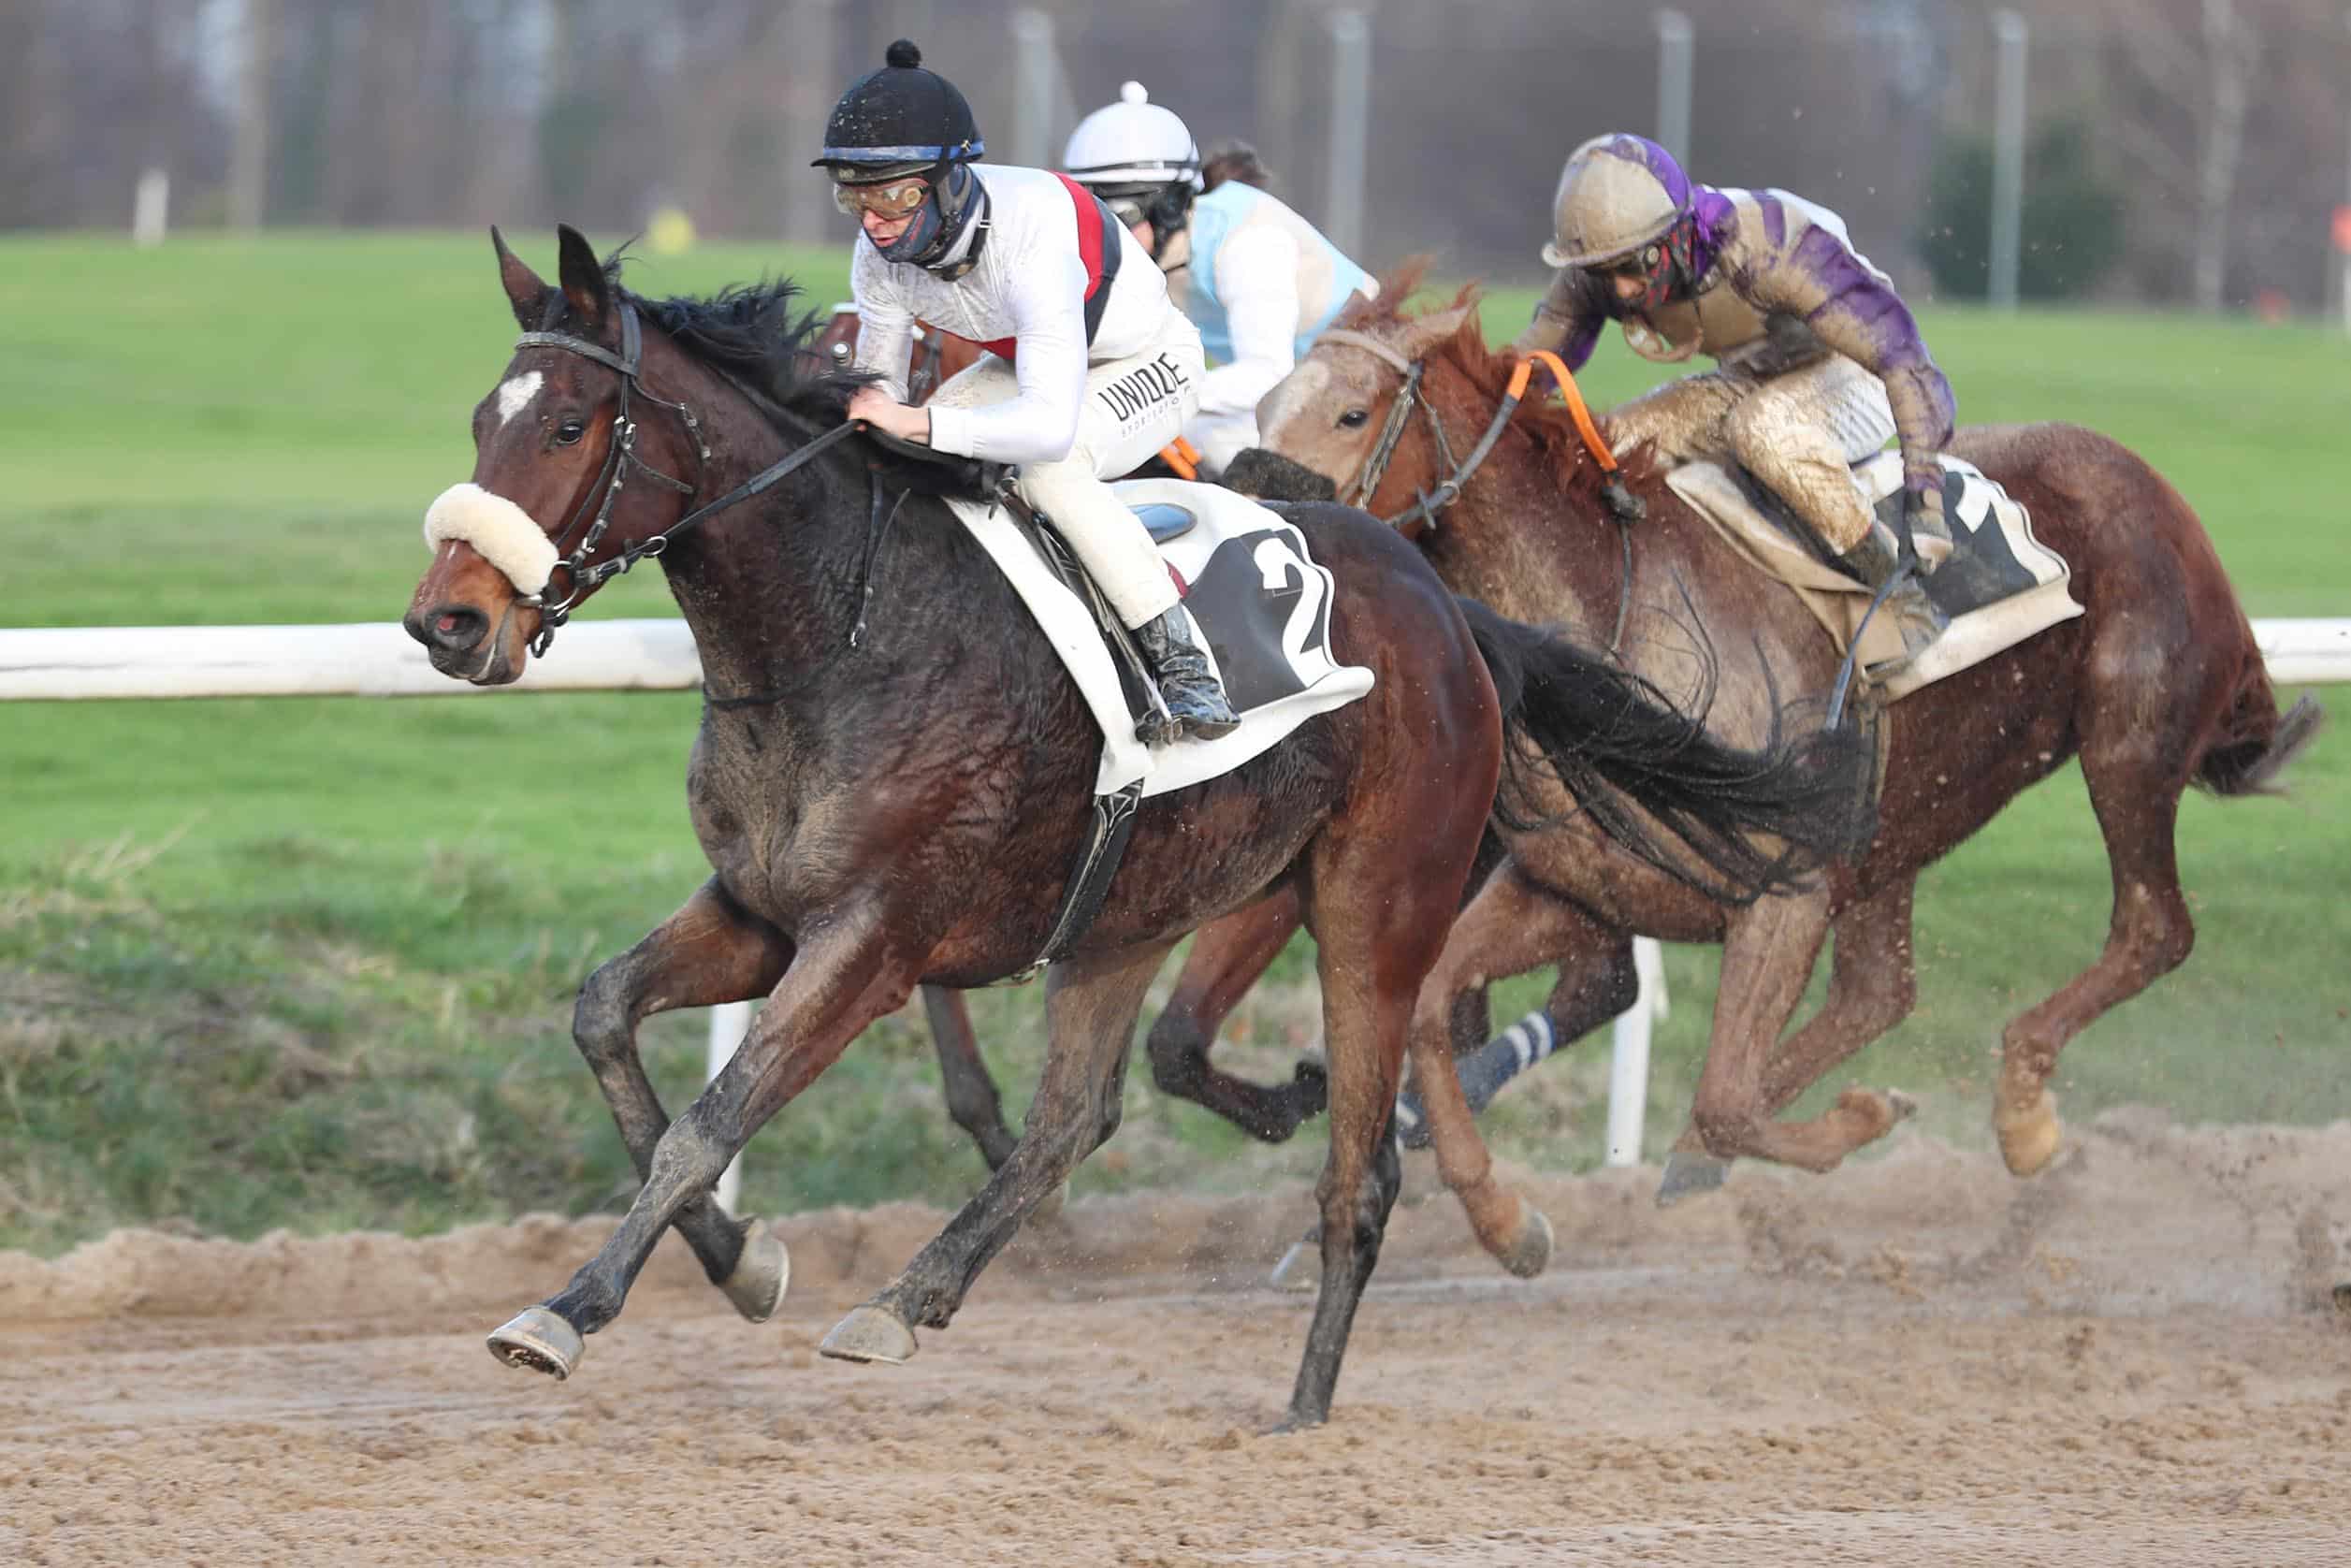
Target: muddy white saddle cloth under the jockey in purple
(1997, 582)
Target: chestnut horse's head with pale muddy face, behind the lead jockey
(1348, 413)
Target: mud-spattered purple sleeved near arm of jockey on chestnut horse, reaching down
(1856, 311)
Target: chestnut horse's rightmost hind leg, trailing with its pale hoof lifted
(2148, 937)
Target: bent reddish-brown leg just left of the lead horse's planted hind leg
(1226, 960)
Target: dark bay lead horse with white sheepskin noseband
(899, 798)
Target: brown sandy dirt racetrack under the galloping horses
(2136, 1360)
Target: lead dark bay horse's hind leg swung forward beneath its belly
(1092, 1007)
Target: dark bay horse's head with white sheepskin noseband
(570, 485)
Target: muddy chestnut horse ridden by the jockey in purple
(2157, 688)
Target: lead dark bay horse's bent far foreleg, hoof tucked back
(704, 956)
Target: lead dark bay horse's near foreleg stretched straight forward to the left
(838, 984)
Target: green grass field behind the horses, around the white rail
(309, 963)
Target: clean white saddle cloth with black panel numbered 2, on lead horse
(1259, 603)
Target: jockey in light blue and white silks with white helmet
(1257, 279)
